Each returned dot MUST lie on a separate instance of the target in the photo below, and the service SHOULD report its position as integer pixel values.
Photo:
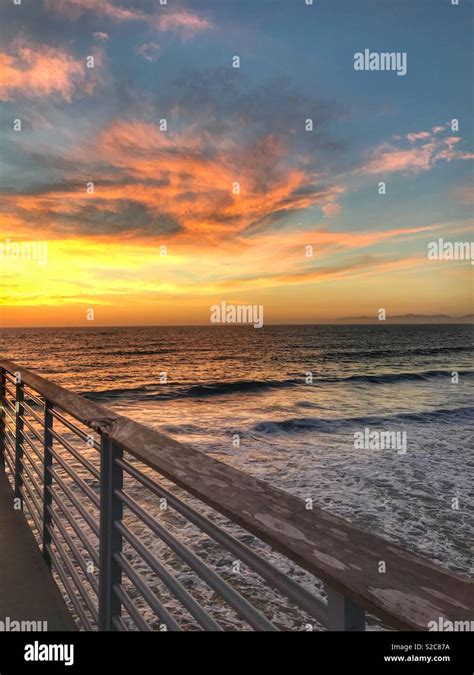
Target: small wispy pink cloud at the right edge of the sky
(425, 150)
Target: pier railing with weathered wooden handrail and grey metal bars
(144, 533)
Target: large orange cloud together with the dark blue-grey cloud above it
(240, 163)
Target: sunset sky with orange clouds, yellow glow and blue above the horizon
(159, 179)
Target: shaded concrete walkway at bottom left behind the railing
(27, 589)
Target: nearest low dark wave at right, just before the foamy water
(349, 423)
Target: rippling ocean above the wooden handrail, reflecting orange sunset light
(284, 403)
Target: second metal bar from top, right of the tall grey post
(240, 604)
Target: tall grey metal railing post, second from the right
(111, 509)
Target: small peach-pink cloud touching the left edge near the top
(39, 70)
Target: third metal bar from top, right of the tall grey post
(180, 593)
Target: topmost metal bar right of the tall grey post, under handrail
(291, 589)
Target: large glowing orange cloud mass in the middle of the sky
(189, 179)
